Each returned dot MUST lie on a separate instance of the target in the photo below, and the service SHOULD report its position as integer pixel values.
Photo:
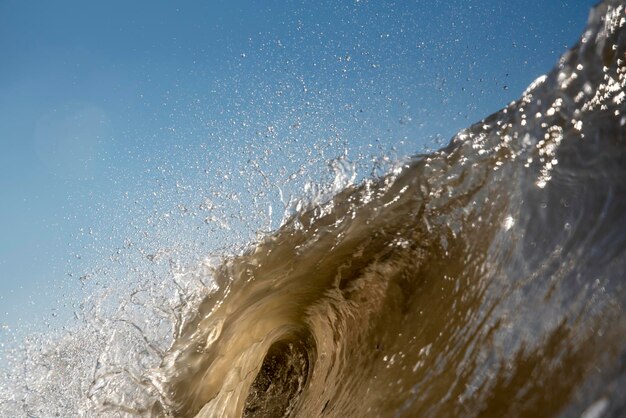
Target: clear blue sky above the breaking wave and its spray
(100, 101)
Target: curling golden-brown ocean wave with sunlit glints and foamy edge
(484, 279)
